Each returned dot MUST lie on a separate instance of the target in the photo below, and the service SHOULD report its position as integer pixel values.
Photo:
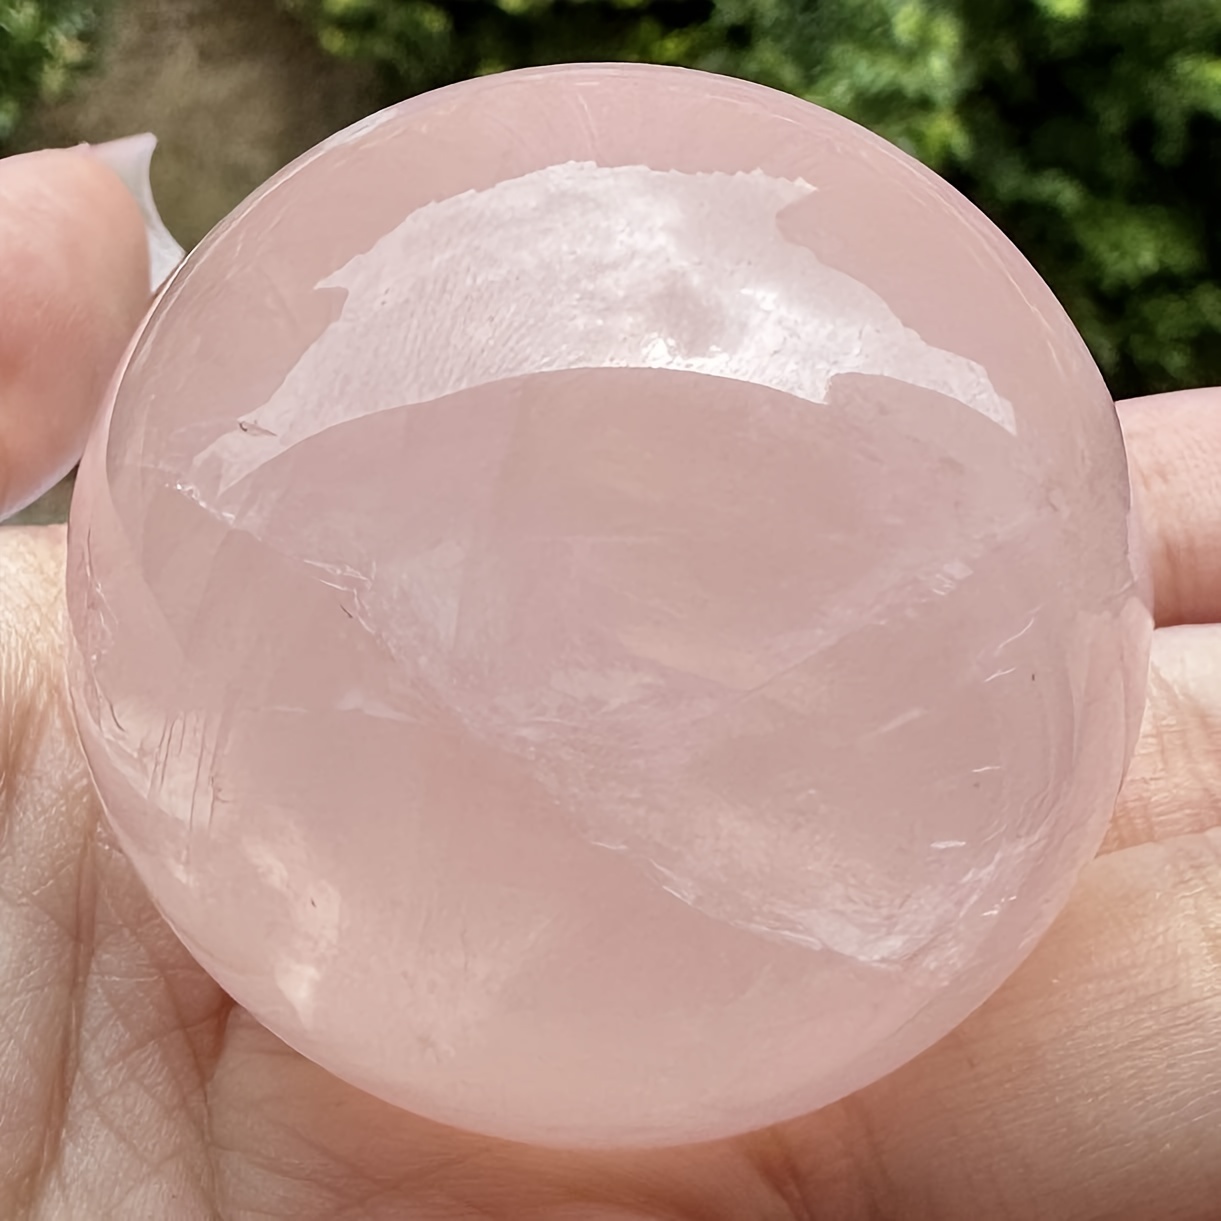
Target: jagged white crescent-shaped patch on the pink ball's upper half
(584, 267)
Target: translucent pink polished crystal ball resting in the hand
(604, 606)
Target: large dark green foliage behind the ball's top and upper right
(1090, 130)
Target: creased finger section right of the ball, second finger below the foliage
(1174, 783)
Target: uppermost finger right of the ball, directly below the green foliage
(1175, 455)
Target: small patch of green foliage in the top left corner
(43, 43)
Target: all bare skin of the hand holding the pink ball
(132, 1089)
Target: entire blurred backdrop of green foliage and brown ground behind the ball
(1089, 130)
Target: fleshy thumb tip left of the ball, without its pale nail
(74, 283)
